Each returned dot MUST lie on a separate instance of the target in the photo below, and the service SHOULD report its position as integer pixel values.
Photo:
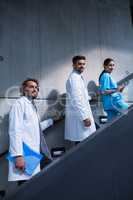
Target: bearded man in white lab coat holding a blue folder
(24, 127)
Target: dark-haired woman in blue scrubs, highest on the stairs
(108, 87)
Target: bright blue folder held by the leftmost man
(32, 159)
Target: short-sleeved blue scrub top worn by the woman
(106, 82)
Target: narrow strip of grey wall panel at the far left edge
(4, 47)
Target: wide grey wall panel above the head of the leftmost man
(20, 31)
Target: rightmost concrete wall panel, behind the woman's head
(116, 34)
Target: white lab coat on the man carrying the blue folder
(24, 127)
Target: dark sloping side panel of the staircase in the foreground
(100, 168)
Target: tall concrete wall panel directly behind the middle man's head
(66, 30)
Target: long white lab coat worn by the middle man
(77, 109)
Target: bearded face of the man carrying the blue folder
(31, 89)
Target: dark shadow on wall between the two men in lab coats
(56, 110)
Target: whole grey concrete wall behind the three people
(38, 39)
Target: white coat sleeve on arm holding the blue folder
(16, 130)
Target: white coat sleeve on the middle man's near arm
(77, 98)
